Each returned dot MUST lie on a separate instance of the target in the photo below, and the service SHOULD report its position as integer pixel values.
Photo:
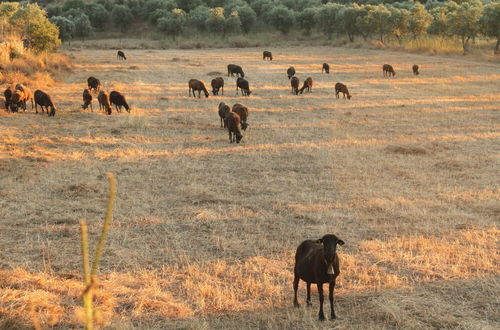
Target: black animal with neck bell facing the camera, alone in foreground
(318, 263)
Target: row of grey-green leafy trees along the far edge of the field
(394, 19)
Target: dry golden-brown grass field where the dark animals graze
(204, 232)
